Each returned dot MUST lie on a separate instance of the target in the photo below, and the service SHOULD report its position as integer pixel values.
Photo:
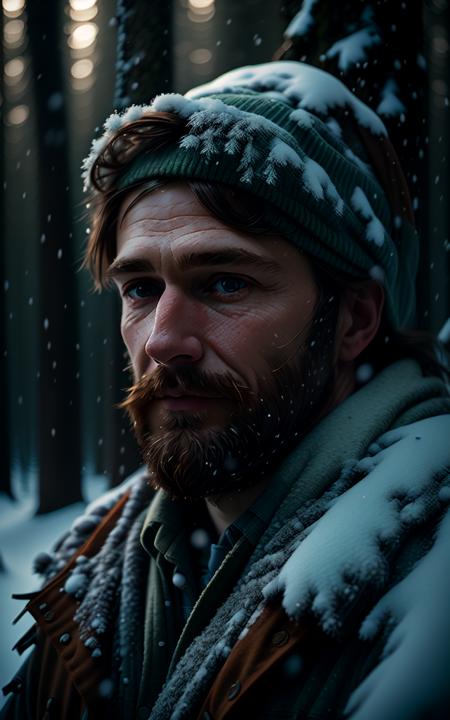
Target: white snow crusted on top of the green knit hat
(210, 121)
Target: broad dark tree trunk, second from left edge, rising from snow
(59, 412)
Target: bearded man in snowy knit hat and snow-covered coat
(285, 552)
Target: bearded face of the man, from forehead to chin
(216, 322)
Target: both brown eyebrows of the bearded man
(192, 260)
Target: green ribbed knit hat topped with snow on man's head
(297, 137)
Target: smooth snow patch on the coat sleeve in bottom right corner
(420, 640)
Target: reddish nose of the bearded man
(176, 331)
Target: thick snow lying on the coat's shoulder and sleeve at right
(407, 482)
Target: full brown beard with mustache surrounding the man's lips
(191, 460)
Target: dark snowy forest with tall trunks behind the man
(66, 66)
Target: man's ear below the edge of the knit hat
(359, 320)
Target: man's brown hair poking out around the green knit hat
(239, 210)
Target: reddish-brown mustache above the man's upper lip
(186, 380)
